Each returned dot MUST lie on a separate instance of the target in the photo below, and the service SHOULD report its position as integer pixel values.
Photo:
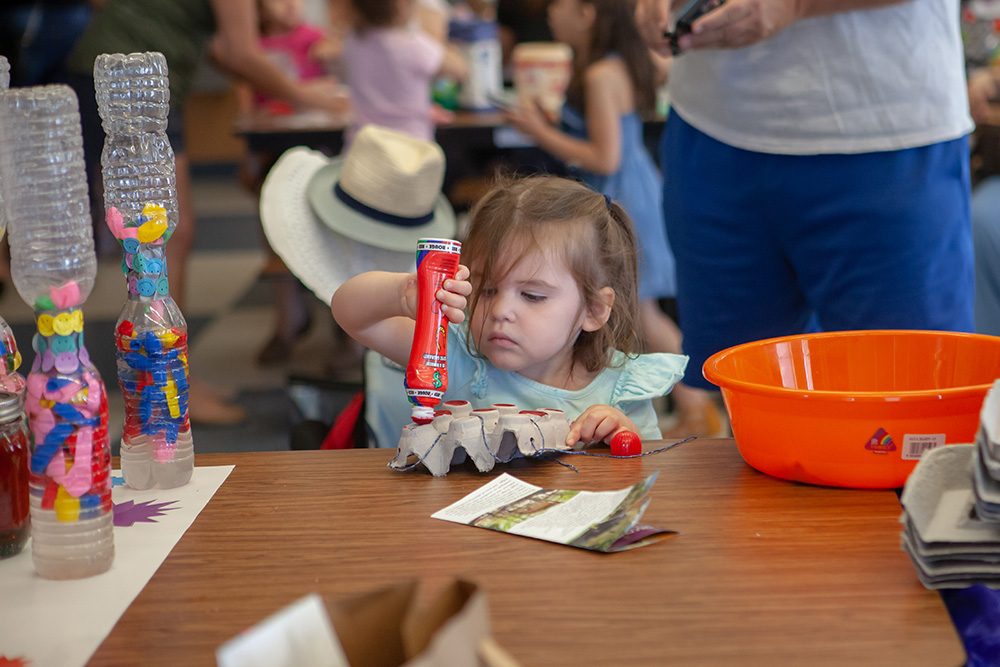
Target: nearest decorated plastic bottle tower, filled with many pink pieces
(53, 266)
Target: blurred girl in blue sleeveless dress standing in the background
(614, 77)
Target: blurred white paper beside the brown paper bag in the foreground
(300, 635)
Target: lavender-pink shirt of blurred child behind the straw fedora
(389, 73)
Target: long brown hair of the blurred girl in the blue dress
(615, 32)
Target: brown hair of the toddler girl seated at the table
(567, 220)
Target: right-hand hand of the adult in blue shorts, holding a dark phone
(740, 23)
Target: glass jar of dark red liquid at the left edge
(14, 454)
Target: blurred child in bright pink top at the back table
(304, 52)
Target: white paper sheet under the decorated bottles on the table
(61, 623)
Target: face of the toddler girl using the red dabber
(528, 322)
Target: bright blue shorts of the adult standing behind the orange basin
(769, 245)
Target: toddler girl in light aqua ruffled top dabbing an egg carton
(551, 290)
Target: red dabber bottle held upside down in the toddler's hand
(427, 371)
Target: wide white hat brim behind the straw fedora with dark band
(318, 256)
